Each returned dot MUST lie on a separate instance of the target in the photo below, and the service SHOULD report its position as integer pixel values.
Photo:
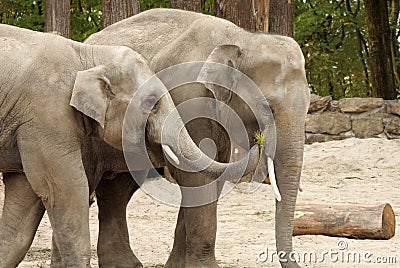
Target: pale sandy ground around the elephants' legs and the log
(351, 171)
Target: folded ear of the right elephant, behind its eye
(229, 55)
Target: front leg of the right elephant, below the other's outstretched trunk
(195, 233)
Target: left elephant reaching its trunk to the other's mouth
(63, 106)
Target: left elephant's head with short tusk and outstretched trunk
(104, 94)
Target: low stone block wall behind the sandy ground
(328, 119)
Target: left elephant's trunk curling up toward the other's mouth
(186, 155)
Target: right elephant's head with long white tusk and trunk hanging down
(276, 65)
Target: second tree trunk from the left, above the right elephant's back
(116, 10)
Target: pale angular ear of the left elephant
(90, 93)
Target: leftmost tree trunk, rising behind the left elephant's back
(57, 18)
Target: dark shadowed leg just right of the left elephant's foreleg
(113, 247)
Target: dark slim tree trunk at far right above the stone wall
(380, 57)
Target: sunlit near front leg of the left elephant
(57, 176)
